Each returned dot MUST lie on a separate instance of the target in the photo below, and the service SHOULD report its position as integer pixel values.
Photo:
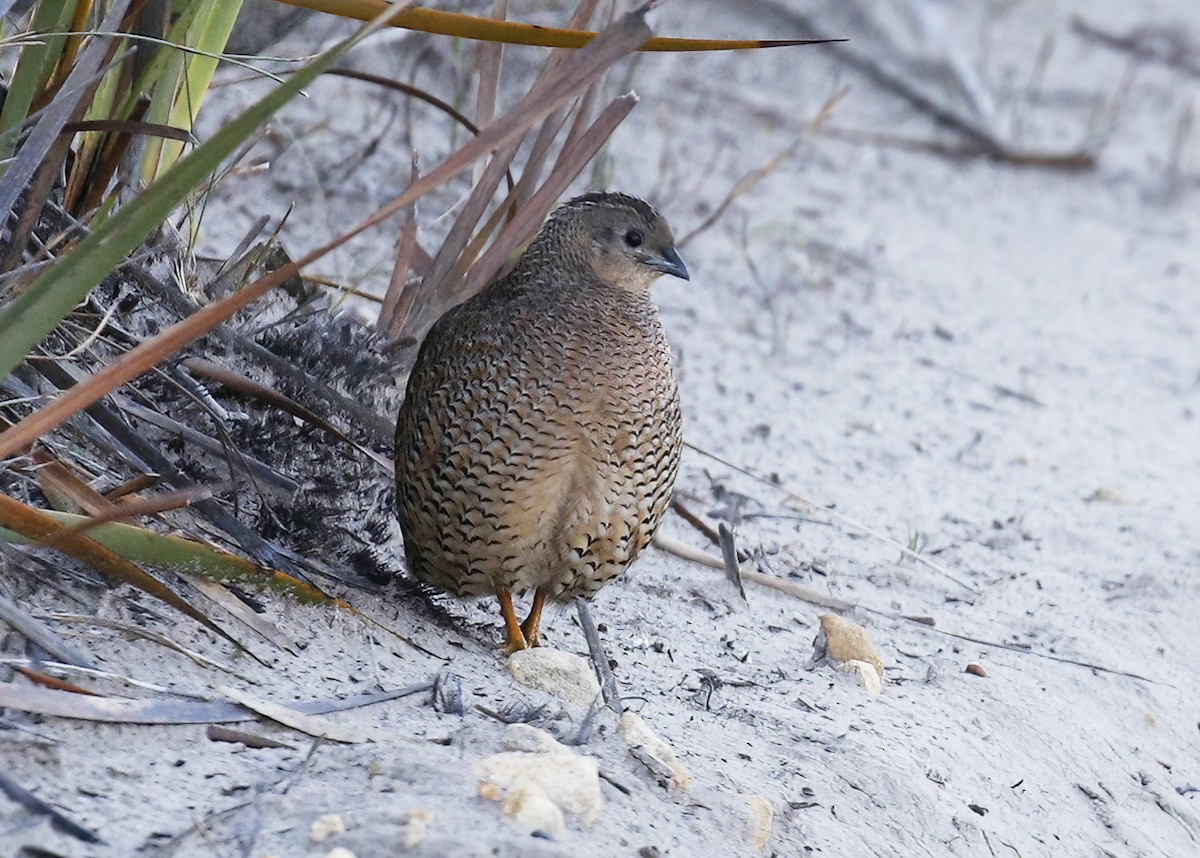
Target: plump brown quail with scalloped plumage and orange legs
(541, 434)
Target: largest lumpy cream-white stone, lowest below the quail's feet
(538, 788)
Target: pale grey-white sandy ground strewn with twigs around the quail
(994, 363)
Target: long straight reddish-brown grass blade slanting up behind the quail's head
(617, 41)
